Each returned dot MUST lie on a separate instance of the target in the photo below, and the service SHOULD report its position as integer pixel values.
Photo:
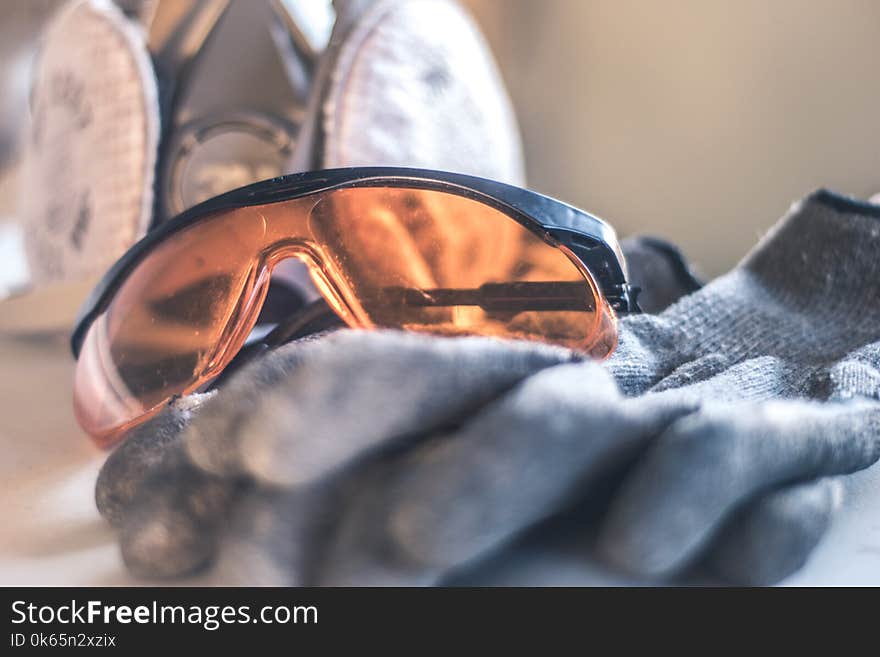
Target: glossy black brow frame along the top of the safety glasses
(589, 238)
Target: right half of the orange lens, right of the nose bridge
(433, 261)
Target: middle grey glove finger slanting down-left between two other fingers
(520, 460)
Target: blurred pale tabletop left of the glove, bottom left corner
(51, 532)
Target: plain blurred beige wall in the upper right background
(699, 120)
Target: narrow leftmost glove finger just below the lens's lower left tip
(144, 452)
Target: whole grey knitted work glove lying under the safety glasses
(711, 438)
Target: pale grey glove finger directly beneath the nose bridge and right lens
(355, 391)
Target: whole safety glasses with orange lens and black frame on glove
(408, 249)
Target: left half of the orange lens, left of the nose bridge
(165, 331)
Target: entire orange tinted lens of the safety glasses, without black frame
(393, 257)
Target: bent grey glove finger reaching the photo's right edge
(707, 464)
